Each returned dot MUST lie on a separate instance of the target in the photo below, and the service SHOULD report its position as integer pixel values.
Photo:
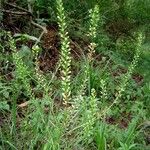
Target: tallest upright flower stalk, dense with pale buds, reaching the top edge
(65, 55)
